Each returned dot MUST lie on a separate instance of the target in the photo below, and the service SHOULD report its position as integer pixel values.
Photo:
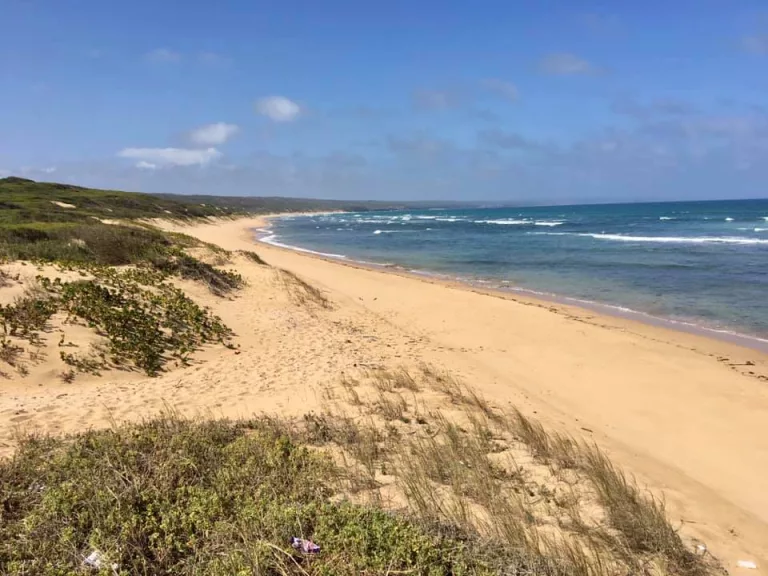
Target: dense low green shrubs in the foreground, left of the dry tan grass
(176, 497)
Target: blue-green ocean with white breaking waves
(698, 265)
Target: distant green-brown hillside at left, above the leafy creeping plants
(44, 222)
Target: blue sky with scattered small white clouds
(487, 100)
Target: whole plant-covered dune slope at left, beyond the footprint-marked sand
(125, 269)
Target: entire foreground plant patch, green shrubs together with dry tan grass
(378, 493)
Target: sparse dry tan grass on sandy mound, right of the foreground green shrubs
(559, 504)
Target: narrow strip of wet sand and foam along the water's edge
(724, 335)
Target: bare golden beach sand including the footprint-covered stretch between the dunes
(683, 413)
